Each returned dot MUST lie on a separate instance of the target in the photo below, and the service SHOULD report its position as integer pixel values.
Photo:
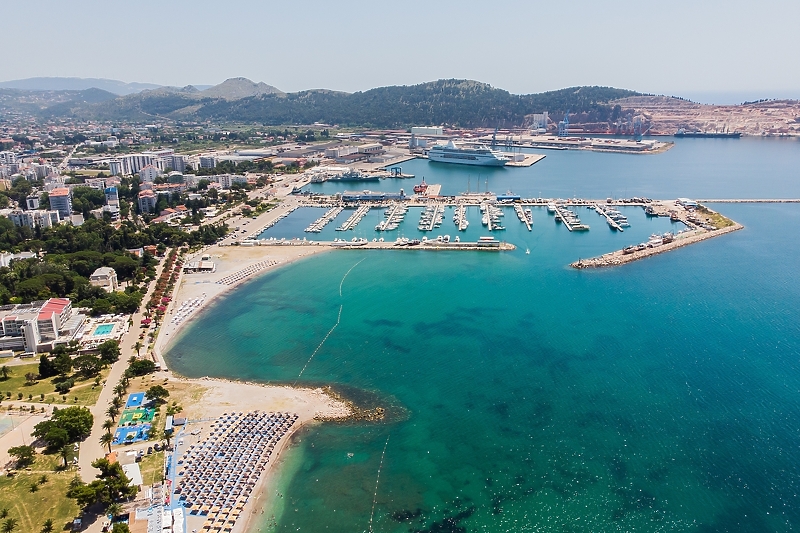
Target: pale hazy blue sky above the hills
(669, 47)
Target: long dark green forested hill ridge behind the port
(451, 102)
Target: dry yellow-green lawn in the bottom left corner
(31, 509)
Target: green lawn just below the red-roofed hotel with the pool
(84, 389)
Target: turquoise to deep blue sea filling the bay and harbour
(525, 396)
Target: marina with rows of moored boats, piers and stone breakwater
(689, 214)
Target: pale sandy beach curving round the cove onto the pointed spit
(204, 400)
